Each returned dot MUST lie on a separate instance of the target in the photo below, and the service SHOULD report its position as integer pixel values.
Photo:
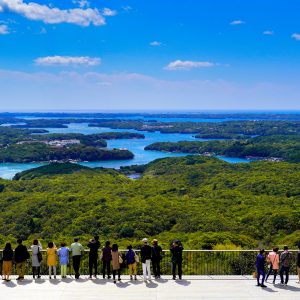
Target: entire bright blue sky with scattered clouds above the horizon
(149, 55)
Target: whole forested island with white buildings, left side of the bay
(24, 146)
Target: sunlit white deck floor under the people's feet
(191, 287)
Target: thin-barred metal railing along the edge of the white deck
(195, 262)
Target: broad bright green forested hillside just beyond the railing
(202, 201)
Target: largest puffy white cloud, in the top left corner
(47, 14)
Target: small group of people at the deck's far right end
(276, 262)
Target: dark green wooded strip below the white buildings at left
(33, 152)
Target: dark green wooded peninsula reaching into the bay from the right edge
(283, 147)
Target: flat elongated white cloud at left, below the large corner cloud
(67, 61)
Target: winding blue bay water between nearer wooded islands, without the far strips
(8, 170)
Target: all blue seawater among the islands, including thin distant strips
(136, 146)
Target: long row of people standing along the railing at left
(110, 257)
